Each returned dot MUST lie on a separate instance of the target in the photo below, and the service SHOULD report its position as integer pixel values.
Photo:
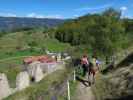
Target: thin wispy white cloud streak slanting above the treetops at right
(94, 8)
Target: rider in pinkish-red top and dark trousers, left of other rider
(85, 63)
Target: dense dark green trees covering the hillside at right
(104, 33)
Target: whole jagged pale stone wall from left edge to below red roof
(36, 71)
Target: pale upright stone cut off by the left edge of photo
(4, 86)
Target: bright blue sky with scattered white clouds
(62, 8)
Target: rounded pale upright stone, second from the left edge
(22, 80)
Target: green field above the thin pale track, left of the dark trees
(12, 43)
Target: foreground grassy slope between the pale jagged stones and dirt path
(50, 86)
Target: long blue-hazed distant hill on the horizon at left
(10, 23)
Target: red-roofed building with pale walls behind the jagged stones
(48, 64)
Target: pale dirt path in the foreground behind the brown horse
(84, 92)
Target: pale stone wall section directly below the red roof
(38, 70)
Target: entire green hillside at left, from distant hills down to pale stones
(14, 46)
